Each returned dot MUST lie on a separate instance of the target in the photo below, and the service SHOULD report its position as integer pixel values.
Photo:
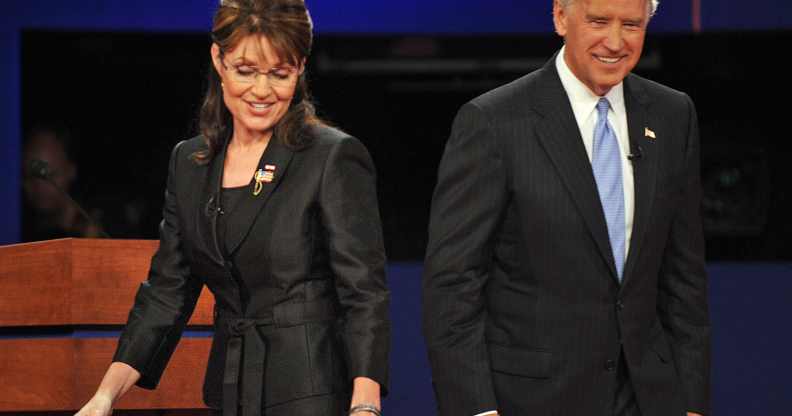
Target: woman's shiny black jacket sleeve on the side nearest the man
(350, 214)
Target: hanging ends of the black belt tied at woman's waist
(245, 350)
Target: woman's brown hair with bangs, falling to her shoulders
(288, 27)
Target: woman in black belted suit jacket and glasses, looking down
(277, 214)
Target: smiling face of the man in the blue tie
(604, 39)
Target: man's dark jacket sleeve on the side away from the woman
(683, 307)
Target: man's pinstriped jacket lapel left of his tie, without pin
(560, 137)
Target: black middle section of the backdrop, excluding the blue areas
(129, 97)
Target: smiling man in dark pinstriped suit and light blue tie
(565, 268)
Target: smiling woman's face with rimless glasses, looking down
(257, 86)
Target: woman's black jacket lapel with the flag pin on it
(275, 159)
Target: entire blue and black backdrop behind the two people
(127, 79)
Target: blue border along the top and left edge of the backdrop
(358, 17)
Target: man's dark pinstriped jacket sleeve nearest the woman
(468, 205)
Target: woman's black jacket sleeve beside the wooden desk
(164, 302)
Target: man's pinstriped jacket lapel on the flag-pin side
(644, 168)
